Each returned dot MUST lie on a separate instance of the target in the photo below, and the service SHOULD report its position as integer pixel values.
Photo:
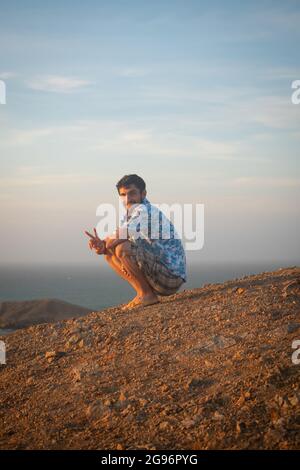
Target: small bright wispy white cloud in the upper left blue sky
(57, 84)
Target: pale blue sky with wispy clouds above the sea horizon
(193, 96)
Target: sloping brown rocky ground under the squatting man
(209, 368)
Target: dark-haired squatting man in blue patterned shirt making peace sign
(139, 251)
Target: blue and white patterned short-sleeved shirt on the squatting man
(147, 225)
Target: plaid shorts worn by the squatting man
(157, 274)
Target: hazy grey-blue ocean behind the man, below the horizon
(97, 287)
